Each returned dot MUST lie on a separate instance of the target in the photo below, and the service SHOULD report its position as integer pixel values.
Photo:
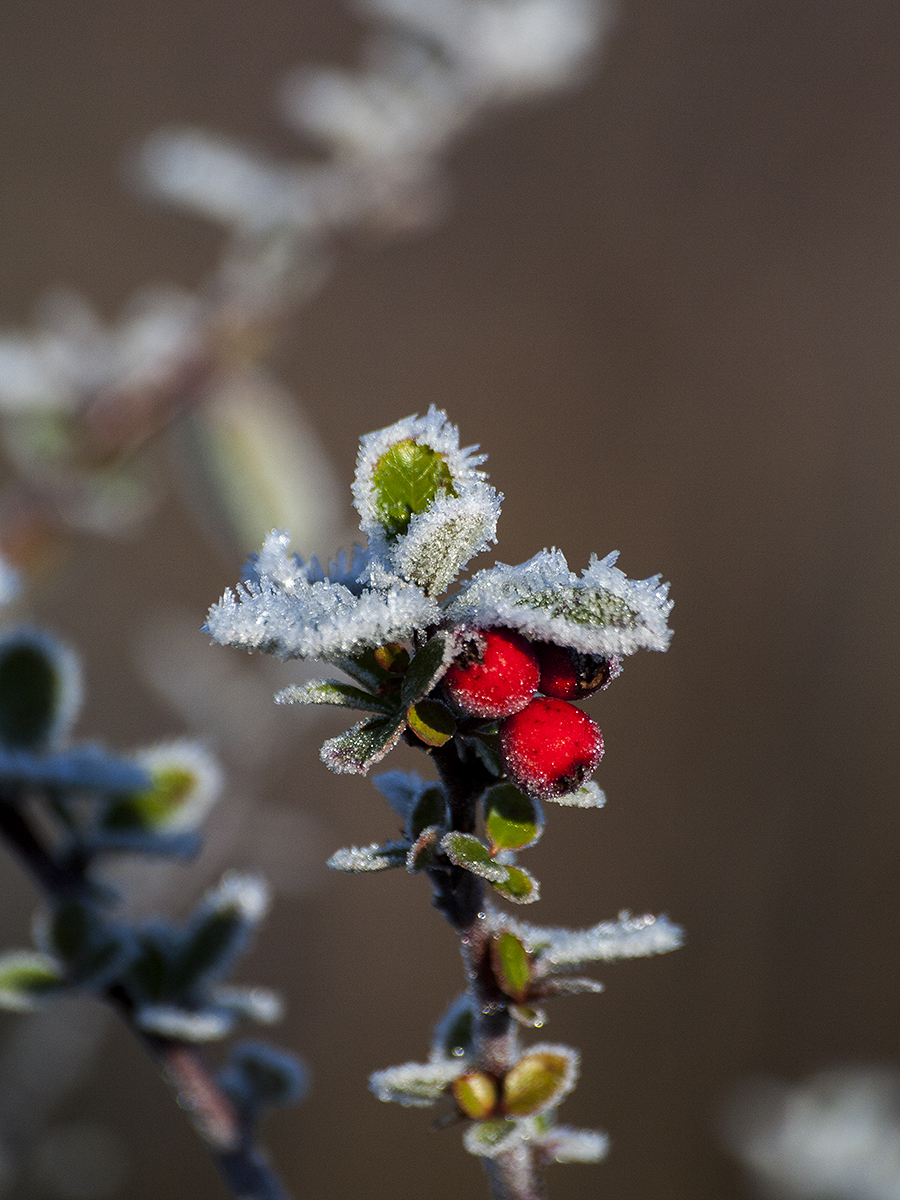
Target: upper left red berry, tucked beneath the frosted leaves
(496, 676)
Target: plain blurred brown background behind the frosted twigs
(667, 307)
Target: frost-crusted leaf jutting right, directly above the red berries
(603, 614)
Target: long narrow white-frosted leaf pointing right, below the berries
(629, 938)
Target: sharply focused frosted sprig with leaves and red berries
(387, 620)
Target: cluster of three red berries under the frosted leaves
(548, 746)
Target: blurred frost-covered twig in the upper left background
(79, 400)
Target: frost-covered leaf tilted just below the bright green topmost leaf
(441, 541)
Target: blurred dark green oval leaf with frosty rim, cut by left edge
(39, 689)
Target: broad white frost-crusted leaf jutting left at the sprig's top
(295, 616)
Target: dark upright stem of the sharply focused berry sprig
(460, 896)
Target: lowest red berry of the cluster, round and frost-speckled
(550, 748)
